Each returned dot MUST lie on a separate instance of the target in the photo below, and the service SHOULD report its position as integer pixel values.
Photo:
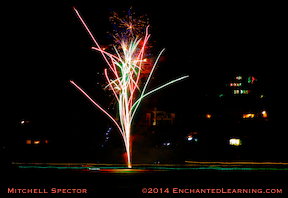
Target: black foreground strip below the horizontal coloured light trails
(131, 183)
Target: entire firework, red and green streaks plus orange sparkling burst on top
(125, 66)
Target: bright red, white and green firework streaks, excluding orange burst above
(125, 68)
